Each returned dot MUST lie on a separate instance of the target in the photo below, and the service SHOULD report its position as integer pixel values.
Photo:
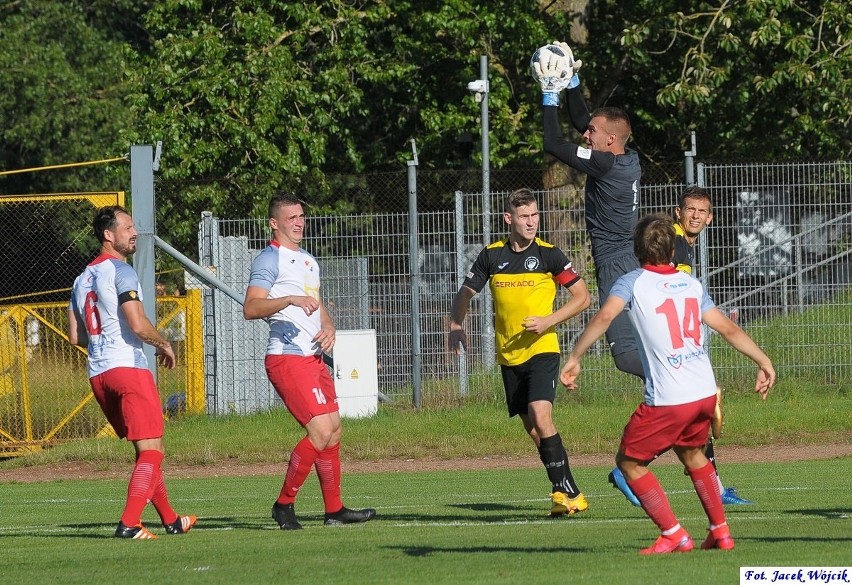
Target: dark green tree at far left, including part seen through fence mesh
(62, 102)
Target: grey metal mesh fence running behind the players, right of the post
(775, 258)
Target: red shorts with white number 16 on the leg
(304, 384)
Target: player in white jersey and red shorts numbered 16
(284, 289)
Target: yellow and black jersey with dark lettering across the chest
(523, 284)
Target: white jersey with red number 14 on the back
(665, 307)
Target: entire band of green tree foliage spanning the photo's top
(253, 96)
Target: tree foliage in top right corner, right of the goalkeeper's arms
(763, 79)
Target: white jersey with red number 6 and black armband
(96, 299)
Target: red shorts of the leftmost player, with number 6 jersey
(131, 402)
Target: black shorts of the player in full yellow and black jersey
(535, 379)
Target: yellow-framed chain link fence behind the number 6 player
(45, 395)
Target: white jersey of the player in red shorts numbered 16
(284, 272)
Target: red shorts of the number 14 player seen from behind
(653, 430)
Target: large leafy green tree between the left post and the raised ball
(251, 97)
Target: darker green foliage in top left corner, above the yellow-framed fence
(63, 93)
